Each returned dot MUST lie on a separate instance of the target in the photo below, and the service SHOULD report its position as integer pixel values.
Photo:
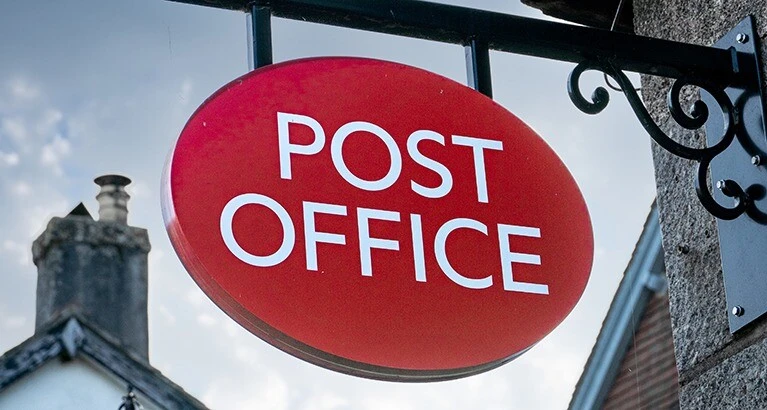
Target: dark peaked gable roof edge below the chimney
(72, 337)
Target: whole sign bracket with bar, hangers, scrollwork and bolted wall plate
(727, 76)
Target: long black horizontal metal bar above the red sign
(503, 32)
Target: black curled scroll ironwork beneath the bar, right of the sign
(695, 119)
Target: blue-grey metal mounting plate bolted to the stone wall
(743, 241)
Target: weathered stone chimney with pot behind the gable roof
(96, 270)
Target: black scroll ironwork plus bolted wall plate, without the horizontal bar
(736, 145)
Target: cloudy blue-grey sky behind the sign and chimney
(91, 87)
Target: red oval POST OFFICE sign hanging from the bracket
(377, 219)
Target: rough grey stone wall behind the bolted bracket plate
(717, 370)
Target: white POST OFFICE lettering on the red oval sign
(364, 215)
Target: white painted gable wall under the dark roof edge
(76, 384)
